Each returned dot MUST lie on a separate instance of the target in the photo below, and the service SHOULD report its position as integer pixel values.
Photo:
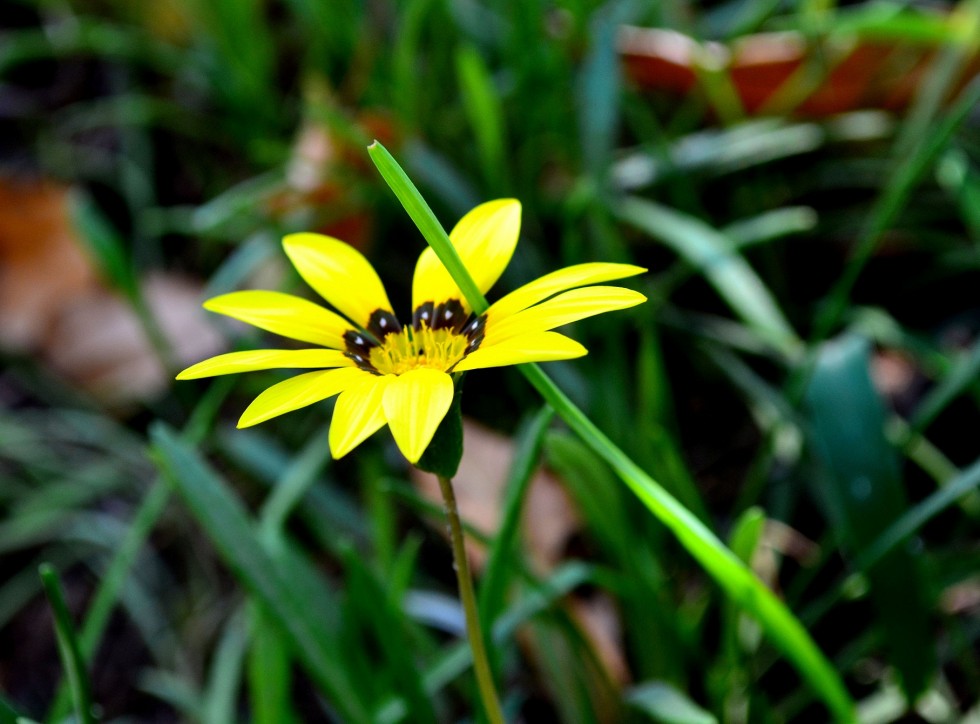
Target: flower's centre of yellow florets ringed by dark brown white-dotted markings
(439, 337)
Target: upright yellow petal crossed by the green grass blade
(485, 239)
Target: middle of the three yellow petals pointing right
(564, 308)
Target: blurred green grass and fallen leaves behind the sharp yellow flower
(802, 180)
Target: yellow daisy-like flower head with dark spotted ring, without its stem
(400, 375)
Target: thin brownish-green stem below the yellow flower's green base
(481, 666)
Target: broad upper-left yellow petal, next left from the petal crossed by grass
(339, 273)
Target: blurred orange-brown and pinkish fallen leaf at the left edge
(54, 306)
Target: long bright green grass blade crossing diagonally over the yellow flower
(729, 572)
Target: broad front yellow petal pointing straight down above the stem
(414, 405)
